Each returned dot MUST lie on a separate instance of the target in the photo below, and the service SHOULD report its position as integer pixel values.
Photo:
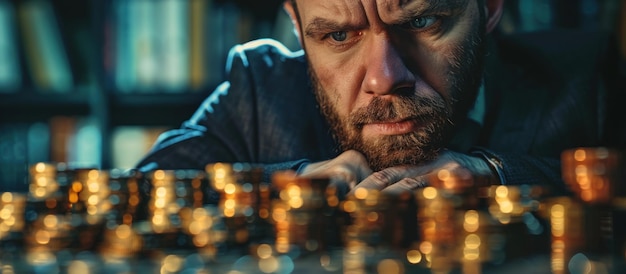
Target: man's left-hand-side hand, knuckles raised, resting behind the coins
(349, 168)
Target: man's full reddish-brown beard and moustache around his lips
(435, 116)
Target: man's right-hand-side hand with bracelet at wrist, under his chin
(395, 180)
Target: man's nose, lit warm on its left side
(386, 72)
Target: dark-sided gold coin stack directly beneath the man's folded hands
(382, 228)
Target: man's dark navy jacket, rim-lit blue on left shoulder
(544, 93)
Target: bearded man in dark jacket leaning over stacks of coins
(387, 92)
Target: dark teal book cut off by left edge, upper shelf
(10, 74)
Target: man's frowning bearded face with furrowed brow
(392, 76)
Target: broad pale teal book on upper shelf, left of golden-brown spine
(151, 45)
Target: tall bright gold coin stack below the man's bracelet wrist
(453, 231)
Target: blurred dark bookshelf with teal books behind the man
(116, 73)
